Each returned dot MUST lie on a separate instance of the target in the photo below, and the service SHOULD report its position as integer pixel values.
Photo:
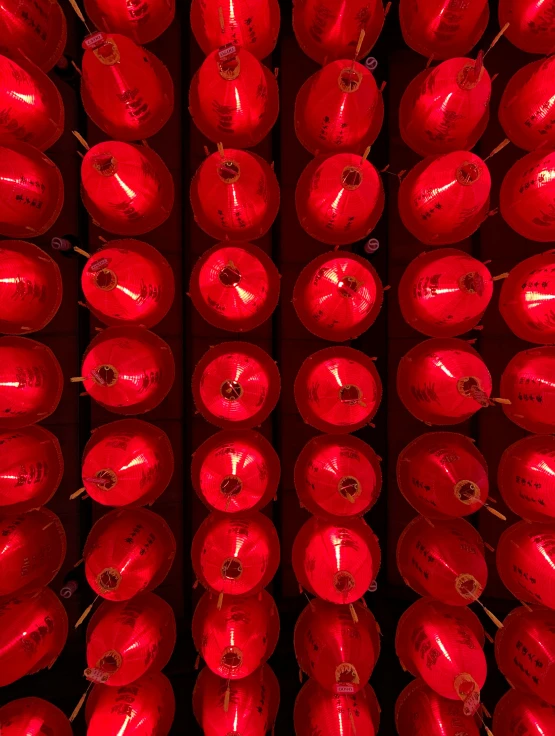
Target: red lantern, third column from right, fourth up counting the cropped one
(338, 476)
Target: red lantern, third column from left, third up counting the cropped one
(235, 555)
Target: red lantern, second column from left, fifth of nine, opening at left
(128, 370)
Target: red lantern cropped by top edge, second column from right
(443, 29)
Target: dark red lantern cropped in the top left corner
(38, 29)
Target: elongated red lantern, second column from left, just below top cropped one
(126, 90)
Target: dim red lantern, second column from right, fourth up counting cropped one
(442, 475)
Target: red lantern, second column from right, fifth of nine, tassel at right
(443, 381)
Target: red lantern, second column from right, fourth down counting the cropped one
(444, 293)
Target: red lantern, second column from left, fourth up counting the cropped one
(127, 463)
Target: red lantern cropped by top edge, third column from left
(251, 24)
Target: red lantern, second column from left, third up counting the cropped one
(128, 552)
